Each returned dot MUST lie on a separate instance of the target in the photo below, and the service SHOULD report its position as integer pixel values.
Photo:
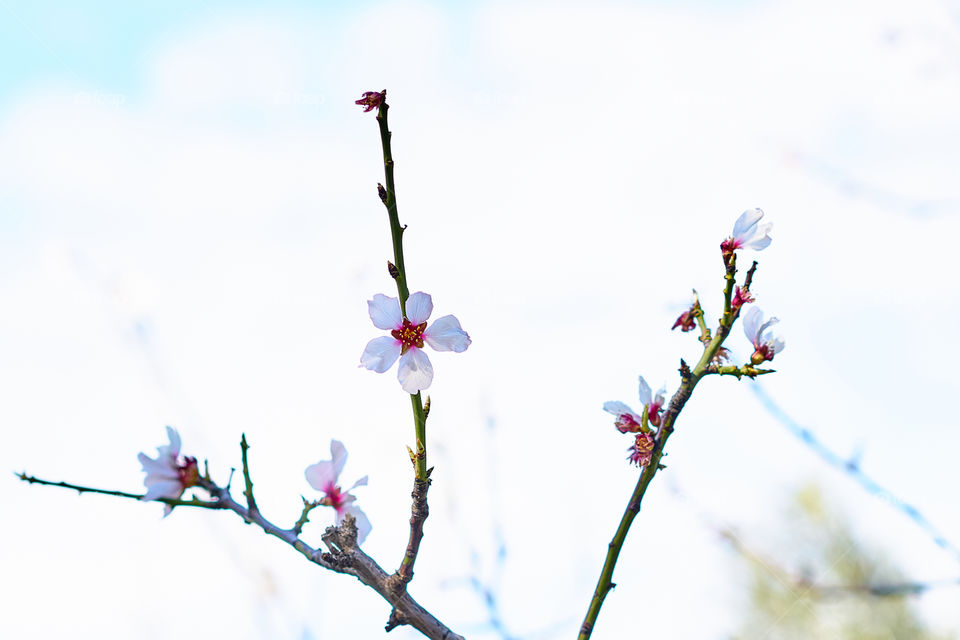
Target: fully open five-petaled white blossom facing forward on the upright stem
(407, 337)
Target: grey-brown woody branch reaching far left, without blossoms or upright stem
(343, 554)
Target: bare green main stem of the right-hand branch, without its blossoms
(689, 382)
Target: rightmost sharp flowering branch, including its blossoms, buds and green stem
(747, 233)
